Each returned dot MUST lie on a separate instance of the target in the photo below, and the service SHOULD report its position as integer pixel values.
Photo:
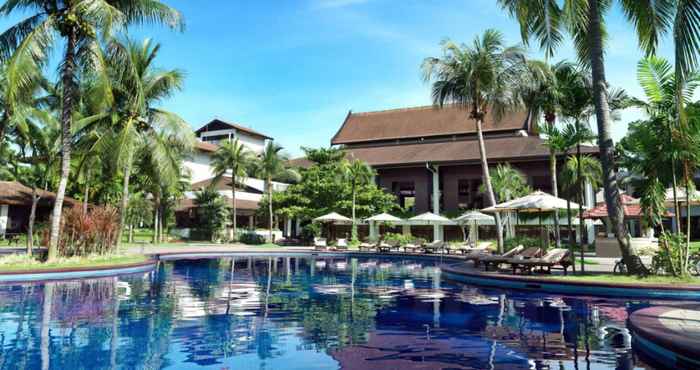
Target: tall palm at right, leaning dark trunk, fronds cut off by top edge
(547, 21)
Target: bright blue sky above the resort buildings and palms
(292, 69)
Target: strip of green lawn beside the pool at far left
(17, 262)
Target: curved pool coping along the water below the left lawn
(64, 273)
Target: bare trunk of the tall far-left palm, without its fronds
(68, 80)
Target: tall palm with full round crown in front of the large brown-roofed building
(480, 77)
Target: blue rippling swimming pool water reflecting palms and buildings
(304, 313)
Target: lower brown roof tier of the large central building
(497, 148)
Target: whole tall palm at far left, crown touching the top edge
(27, 45)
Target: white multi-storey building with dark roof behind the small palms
(201, 171)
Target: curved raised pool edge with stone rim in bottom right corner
(661, 342)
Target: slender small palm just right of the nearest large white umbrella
(579, 171)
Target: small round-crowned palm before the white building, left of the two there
(234, 158)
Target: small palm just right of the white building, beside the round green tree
(269, 166)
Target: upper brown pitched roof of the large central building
(419, 122)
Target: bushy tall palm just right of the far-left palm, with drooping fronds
(138, 86)
